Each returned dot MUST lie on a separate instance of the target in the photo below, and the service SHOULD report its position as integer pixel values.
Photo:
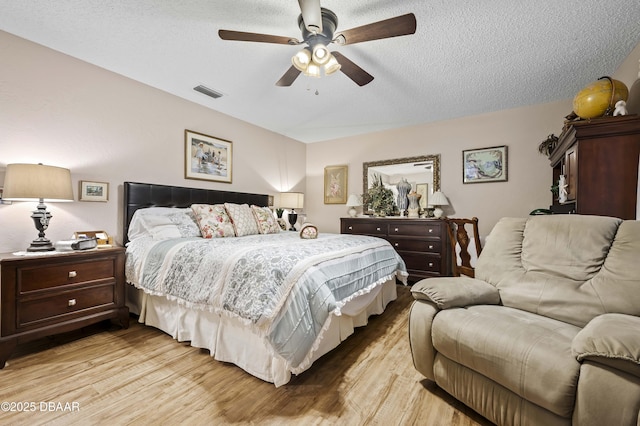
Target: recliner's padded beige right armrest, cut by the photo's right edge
(610, 339)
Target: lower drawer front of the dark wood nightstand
(51, 306)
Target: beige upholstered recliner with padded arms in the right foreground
(548, 331)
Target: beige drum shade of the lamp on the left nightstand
(28, 182)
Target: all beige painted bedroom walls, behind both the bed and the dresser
(105, 127)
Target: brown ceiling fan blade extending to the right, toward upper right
(392, 27)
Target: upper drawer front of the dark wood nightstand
(48, 276)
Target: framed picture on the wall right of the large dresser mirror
(485, 165)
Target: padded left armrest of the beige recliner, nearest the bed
(455, 292)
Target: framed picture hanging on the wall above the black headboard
(207, 157)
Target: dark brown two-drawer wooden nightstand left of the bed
(55, 293)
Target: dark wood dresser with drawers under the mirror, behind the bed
(422, 243)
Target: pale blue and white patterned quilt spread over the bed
(285, 288)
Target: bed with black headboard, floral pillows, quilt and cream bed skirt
(267, 301)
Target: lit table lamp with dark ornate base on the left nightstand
(37, 182)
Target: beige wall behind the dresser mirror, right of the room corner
(521, 129)
